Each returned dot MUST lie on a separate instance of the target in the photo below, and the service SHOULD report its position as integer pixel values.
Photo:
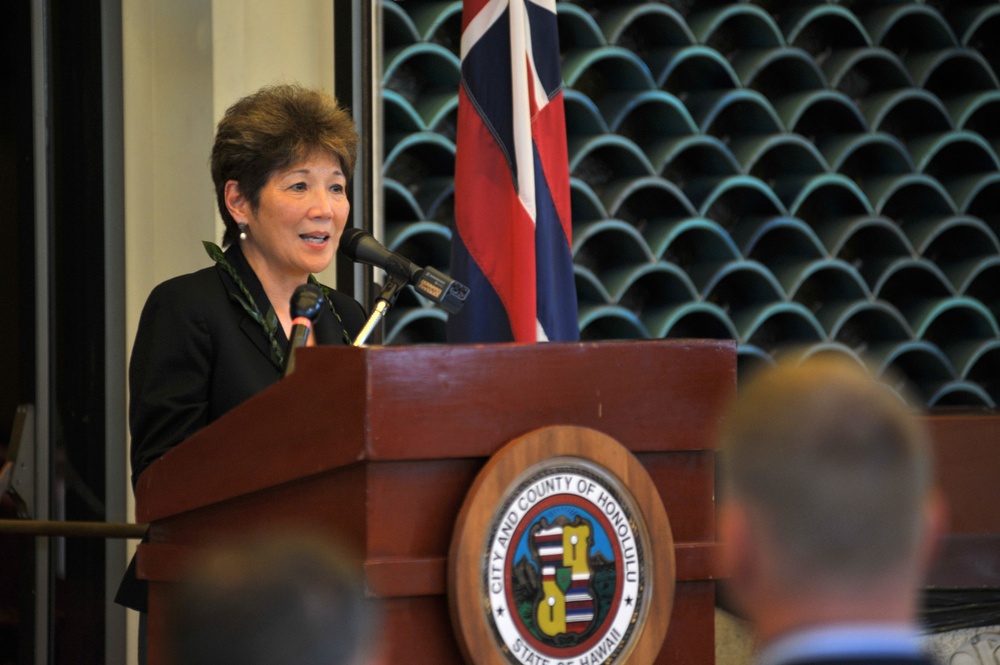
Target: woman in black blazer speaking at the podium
(209, 340)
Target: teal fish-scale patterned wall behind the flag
(810, 174)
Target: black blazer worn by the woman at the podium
(198, 353)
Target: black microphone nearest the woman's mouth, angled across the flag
(361, 247)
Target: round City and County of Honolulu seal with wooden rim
(553, 558)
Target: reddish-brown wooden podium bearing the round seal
(379, 446)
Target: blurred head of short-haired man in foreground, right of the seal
(827, 491)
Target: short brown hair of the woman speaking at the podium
(270, 130)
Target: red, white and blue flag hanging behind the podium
(511, 244)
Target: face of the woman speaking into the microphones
(296, 227)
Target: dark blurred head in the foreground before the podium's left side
(279, 600)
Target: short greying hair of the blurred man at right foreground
(831, 465)
